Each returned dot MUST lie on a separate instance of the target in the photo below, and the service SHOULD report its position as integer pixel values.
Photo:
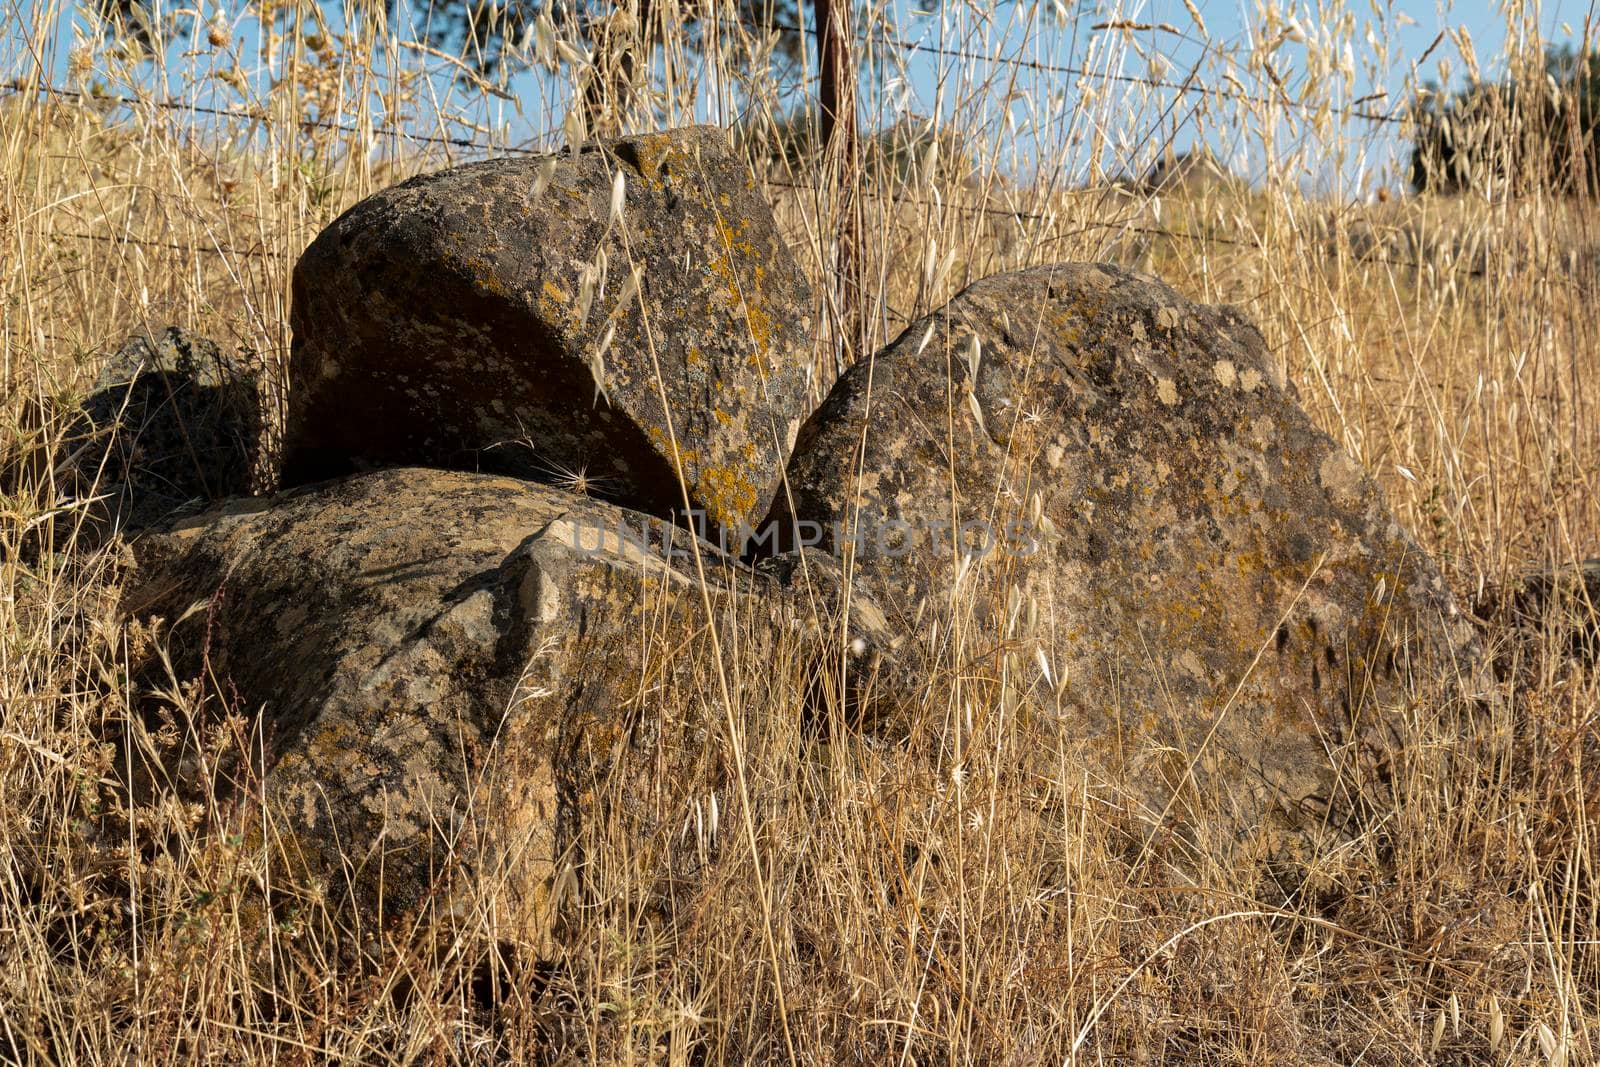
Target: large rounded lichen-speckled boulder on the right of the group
(1207, 575)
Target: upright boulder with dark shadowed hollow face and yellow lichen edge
(442, 322)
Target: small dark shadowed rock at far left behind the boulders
(174, 423)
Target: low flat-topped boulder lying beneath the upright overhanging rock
(446, 660)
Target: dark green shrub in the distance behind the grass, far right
(1514, 137)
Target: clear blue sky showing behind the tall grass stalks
(1164, 44)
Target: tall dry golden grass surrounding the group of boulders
(961, 897)
